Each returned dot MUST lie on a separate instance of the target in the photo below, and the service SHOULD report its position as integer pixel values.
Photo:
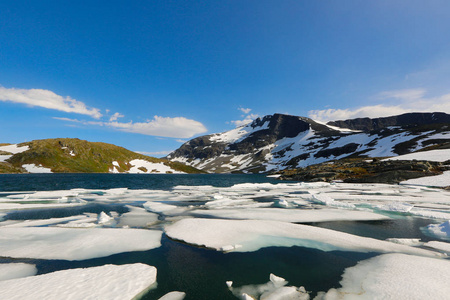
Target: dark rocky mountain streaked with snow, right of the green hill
(278, 142)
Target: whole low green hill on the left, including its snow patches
(78, 156)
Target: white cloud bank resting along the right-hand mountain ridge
(411, 100)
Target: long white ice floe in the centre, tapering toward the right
(251, 235)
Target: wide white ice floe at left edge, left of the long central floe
(74, 244)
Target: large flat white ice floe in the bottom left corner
(104, 282)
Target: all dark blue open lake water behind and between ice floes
(202, 273)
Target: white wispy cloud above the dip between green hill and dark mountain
(178, 127)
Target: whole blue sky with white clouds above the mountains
(150, 75)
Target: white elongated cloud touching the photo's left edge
(47, 99)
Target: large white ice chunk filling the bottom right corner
(394, 276)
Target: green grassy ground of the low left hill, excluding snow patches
(78, 156)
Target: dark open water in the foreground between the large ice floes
(202, 273)
